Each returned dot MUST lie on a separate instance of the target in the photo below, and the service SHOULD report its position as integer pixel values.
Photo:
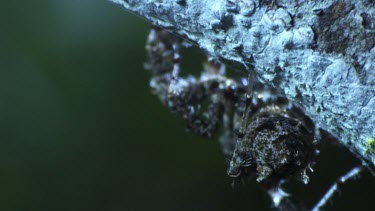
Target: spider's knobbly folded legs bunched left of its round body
(185, 95)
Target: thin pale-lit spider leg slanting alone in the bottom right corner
(335, 187)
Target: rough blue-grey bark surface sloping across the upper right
(321, 53)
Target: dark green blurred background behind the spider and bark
(80, 129)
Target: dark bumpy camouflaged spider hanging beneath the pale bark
(264, 135)
